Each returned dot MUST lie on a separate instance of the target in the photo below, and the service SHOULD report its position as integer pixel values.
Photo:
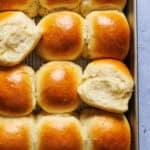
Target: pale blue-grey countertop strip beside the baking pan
(144, 72)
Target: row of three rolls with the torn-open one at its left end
(64, 35)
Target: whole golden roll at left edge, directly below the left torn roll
(17, 92)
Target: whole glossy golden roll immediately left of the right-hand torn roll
(57, 84)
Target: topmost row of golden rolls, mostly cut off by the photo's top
(43, 7)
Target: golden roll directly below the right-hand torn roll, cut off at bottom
(106, 131)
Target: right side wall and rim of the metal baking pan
(132, 62)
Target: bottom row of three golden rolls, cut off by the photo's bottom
(91, 130)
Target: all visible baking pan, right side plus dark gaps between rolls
(131, 61)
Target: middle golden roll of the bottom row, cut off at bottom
(59, 133)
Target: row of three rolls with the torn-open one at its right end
(60, 87)
